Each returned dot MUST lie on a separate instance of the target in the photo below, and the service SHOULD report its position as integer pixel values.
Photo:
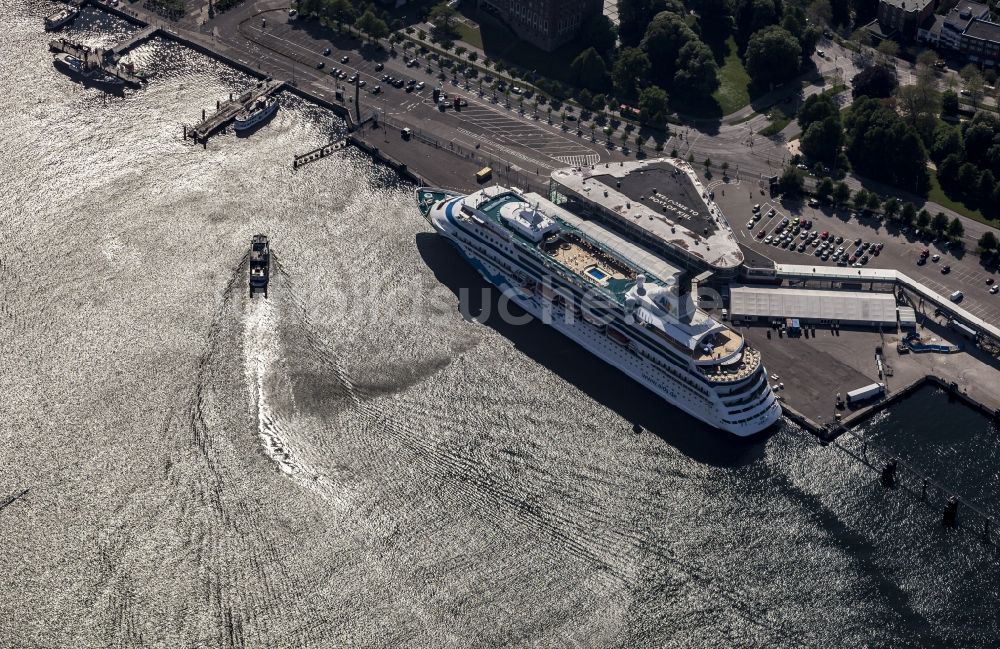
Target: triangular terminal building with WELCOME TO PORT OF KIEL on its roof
(659, 203)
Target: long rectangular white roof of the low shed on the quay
(845, 306)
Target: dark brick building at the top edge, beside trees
(547, 24)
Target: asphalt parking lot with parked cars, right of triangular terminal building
(901, 250)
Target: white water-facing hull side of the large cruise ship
(592, 338)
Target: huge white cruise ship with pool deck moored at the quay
(622, 313)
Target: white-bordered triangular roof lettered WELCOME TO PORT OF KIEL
(677, 222)
